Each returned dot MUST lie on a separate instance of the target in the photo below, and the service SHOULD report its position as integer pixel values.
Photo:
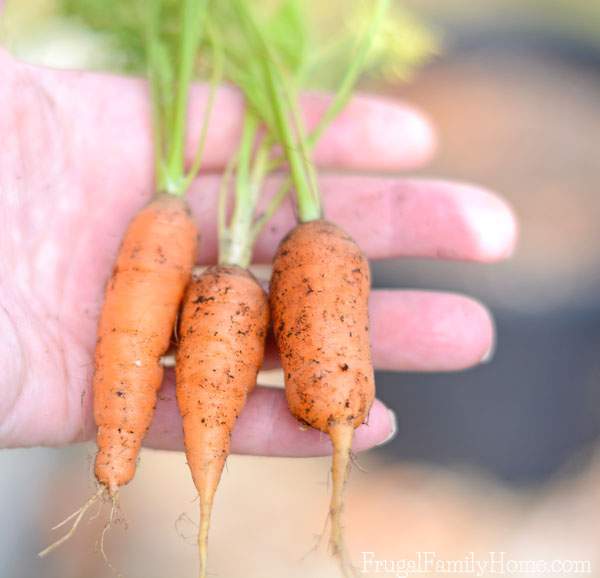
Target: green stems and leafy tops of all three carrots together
(271, 50)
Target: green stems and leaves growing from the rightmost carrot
(269, 58)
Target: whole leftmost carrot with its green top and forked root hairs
(155, 260)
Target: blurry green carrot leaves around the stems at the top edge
(315, 38)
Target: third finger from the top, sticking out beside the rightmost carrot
(424, 331)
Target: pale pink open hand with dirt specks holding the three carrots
(76, 165)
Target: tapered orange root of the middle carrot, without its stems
(223, 326)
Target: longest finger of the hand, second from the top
(387, 217)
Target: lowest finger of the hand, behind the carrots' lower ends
(266, 427)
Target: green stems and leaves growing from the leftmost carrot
(161, 39)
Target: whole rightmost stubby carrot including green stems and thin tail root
(320, 285)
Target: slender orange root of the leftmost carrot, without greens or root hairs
(137, 320)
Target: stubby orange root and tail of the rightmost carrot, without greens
(319, 303)
